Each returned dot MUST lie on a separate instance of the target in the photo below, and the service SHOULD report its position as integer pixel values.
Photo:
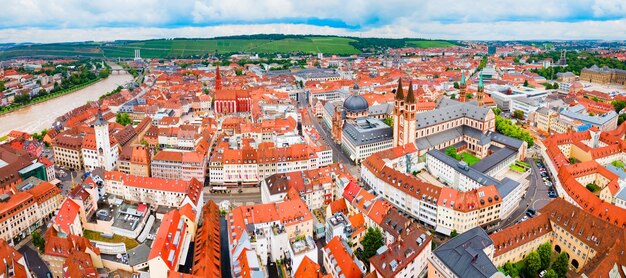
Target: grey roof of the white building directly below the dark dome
(367, 131)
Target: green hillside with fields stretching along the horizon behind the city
(261, 44)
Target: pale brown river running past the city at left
(40, 116)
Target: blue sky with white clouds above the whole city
(45, 21)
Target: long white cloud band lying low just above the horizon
(612, 30)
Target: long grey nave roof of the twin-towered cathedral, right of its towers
(448, 110)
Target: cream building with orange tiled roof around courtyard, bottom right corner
(589, 241)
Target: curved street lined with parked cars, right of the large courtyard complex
(536, 196)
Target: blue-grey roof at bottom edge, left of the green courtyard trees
(464, 255)
